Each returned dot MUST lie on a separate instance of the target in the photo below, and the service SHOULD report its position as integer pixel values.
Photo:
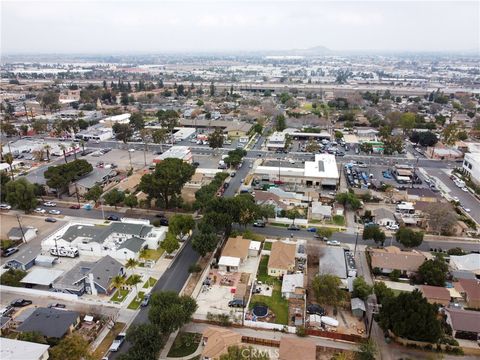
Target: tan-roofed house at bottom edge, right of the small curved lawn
(216, 342)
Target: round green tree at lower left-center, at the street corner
(169, 311)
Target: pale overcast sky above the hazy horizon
(166, 26)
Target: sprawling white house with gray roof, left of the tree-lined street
(120, 240)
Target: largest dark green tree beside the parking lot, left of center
(167, 180)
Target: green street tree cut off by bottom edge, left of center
(146, 342)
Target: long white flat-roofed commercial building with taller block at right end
(322, 172)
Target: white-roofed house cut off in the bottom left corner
(11, 349)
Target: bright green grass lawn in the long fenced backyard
(276, 303)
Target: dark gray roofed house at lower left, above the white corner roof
(51, 322)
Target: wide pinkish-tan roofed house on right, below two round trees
(393, 258)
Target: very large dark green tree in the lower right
(409, 315)
